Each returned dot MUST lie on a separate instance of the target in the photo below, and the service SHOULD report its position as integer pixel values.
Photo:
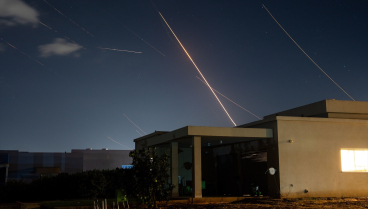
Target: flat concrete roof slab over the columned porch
(208, 134)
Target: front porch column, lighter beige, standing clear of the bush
(197, 167)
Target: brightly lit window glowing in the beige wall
(354, 160)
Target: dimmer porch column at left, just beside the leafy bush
(174, 171)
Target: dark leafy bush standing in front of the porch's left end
(151, 175)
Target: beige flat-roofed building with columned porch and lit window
(316, 150)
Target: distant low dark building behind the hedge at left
(31, 165)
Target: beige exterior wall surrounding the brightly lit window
(313, 160)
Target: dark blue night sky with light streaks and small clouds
(72, 94)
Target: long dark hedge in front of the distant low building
(88, 184)
